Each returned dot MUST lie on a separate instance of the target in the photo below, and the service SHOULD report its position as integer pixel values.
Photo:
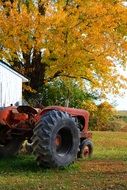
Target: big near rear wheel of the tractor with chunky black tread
(56, 140)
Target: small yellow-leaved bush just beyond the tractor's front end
(102, 116)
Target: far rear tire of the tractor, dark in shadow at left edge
(11, 148)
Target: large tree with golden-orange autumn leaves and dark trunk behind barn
(81, 39)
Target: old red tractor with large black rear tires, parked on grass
(58, 135)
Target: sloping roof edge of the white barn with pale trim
(8, 67)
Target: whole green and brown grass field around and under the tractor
(106, 170)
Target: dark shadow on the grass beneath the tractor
(27, 163)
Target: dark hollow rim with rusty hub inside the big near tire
(63, 142)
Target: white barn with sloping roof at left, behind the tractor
(10, 85)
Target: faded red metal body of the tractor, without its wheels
(23, 118)
